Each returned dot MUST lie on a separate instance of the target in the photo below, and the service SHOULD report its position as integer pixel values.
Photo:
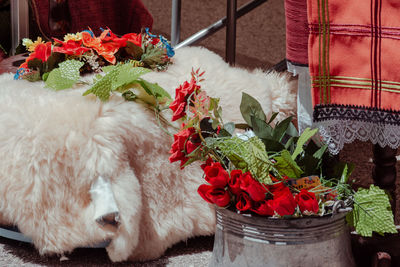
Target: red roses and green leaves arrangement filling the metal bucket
(262, 168)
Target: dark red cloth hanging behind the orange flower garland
(122, 16)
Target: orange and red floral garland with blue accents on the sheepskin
(146, 49)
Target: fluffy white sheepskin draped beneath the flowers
(54, 145)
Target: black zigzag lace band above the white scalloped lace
(356, 113)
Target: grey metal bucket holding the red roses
(259, 241)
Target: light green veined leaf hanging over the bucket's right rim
(372, 212)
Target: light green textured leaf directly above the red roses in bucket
(248, 155)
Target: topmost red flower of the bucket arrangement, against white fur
(182, 93)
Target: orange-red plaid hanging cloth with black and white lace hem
(354, 60)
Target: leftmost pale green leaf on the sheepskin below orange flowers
(65, 76)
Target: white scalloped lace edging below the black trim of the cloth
(336, 133)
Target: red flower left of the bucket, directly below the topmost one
(184, 143)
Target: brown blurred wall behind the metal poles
(260, 35)
